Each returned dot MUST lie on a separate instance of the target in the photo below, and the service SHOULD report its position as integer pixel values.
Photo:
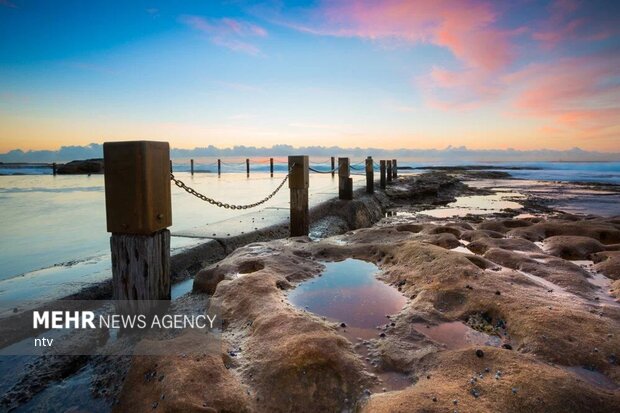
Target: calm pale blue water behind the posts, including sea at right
(53, 234)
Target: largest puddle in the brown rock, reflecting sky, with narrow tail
(348, 292)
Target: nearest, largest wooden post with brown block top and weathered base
(138, 213)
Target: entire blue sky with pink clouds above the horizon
(392, 74)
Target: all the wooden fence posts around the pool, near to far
(139, 212)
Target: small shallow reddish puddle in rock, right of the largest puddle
(455, 335)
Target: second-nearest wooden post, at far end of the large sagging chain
(298, 182)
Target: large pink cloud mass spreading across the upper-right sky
(494, 64)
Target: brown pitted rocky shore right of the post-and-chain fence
(515, 310)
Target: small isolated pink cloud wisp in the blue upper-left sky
(230, 33)
